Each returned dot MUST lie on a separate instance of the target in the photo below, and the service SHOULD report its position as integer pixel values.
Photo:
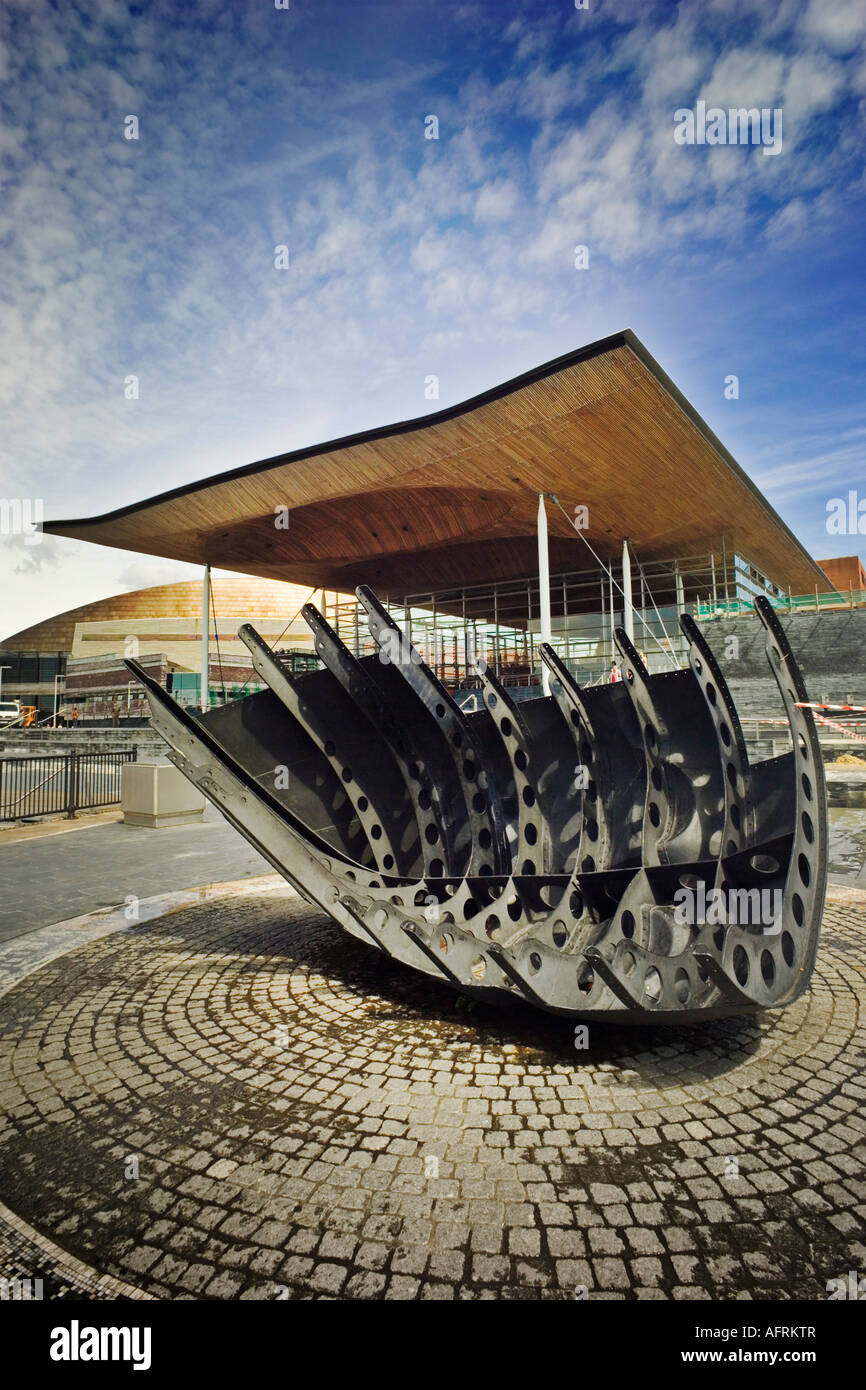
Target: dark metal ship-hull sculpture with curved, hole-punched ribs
(603, 853)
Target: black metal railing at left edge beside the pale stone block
(60, 782)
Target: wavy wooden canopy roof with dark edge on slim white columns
(451, 500)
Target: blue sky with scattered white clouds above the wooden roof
(411, 258)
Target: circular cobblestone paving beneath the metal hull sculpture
(309, 1120)
